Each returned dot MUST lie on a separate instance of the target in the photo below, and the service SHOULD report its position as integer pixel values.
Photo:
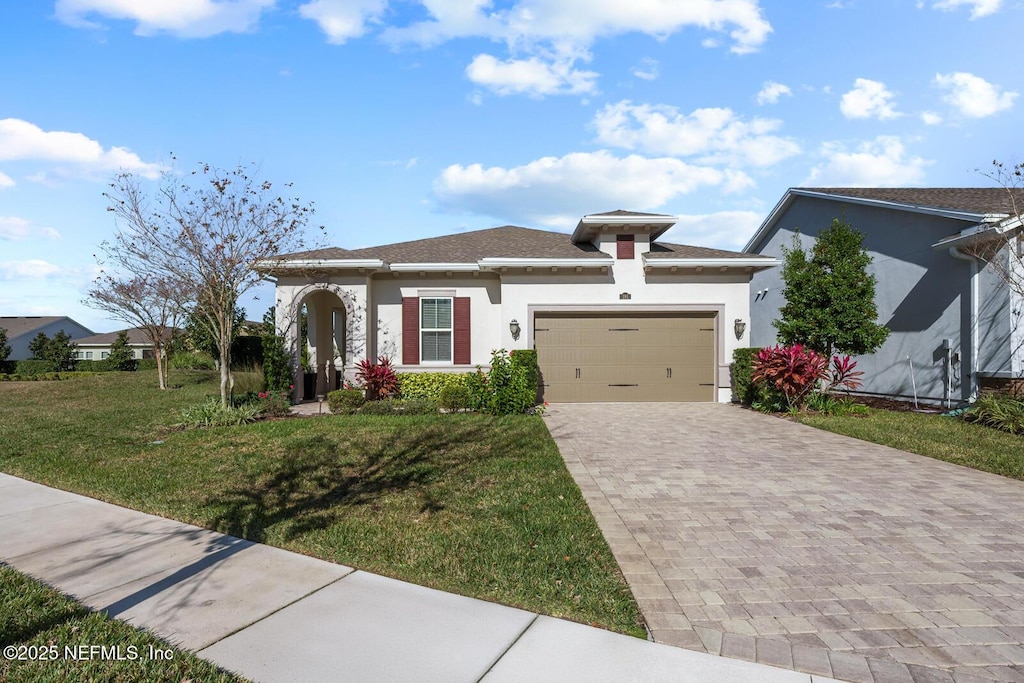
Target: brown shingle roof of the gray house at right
(971, 200)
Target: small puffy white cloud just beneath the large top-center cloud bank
(533, 77)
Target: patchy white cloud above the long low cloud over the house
(715, 136)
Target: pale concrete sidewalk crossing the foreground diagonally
(274, 616)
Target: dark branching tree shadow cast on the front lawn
(322, 477)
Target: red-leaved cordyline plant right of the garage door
(797, 371)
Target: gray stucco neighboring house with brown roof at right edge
(956, 326)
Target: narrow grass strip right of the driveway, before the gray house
(946, 439)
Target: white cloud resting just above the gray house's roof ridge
(879, 163)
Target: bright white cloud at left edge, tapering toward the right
(21, 141)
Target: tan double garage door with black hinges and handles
(594, 358)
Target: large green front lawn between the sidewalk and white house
(477, 505)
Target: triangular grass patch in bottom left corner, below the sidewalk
(54, 637)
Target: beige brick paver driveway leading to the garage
(756, 538)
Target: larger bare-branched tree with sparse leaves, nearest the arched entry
(203, 233)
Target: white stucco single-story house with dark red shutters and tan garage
(614, 314)
